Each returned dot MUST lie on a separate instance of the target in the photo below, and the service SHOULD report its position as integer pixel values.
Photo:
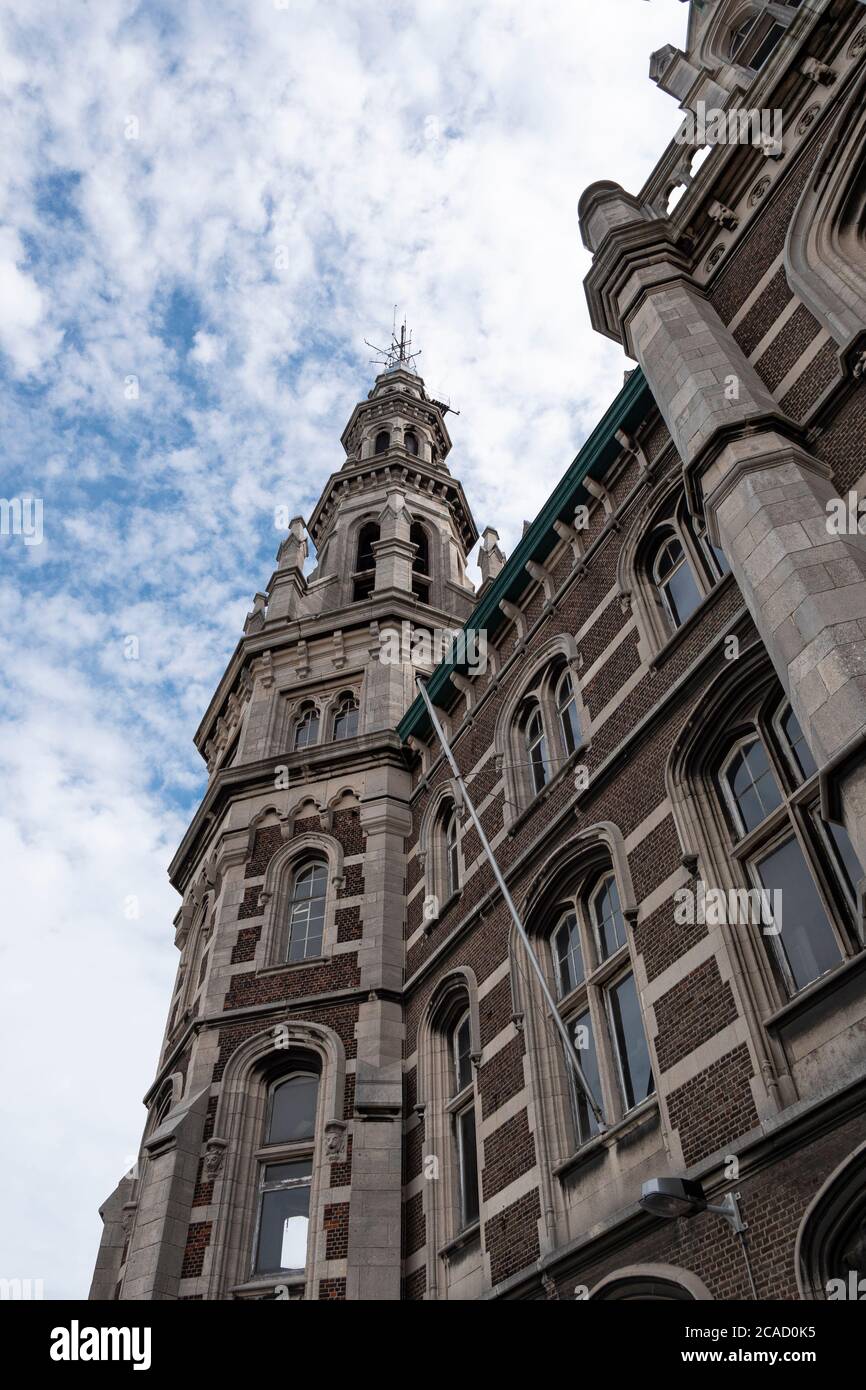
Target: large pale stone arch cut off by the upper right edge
(826, 243)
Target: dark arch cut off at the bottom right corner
(829, 1221)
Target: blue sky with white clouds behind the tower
(205, 208)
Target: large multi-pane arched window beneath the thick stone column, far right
(803, 871)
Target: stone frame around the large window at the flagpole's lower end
(575, 868)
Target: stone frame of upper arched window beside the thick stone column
(664, 516)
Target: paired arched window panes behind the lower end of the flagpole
(601, 1006)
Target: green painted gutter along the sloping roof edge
(628, 412)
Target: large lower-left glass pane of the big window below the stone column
(807, 939)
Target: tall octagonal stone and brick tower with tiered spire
(272, 1157)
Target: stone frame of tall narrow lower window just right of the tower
(454, 997)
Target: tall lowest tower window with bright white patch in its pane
(286, 1175)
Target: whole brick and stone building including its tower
(361, 1095)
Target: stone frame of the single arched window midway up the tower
(276, 897)
